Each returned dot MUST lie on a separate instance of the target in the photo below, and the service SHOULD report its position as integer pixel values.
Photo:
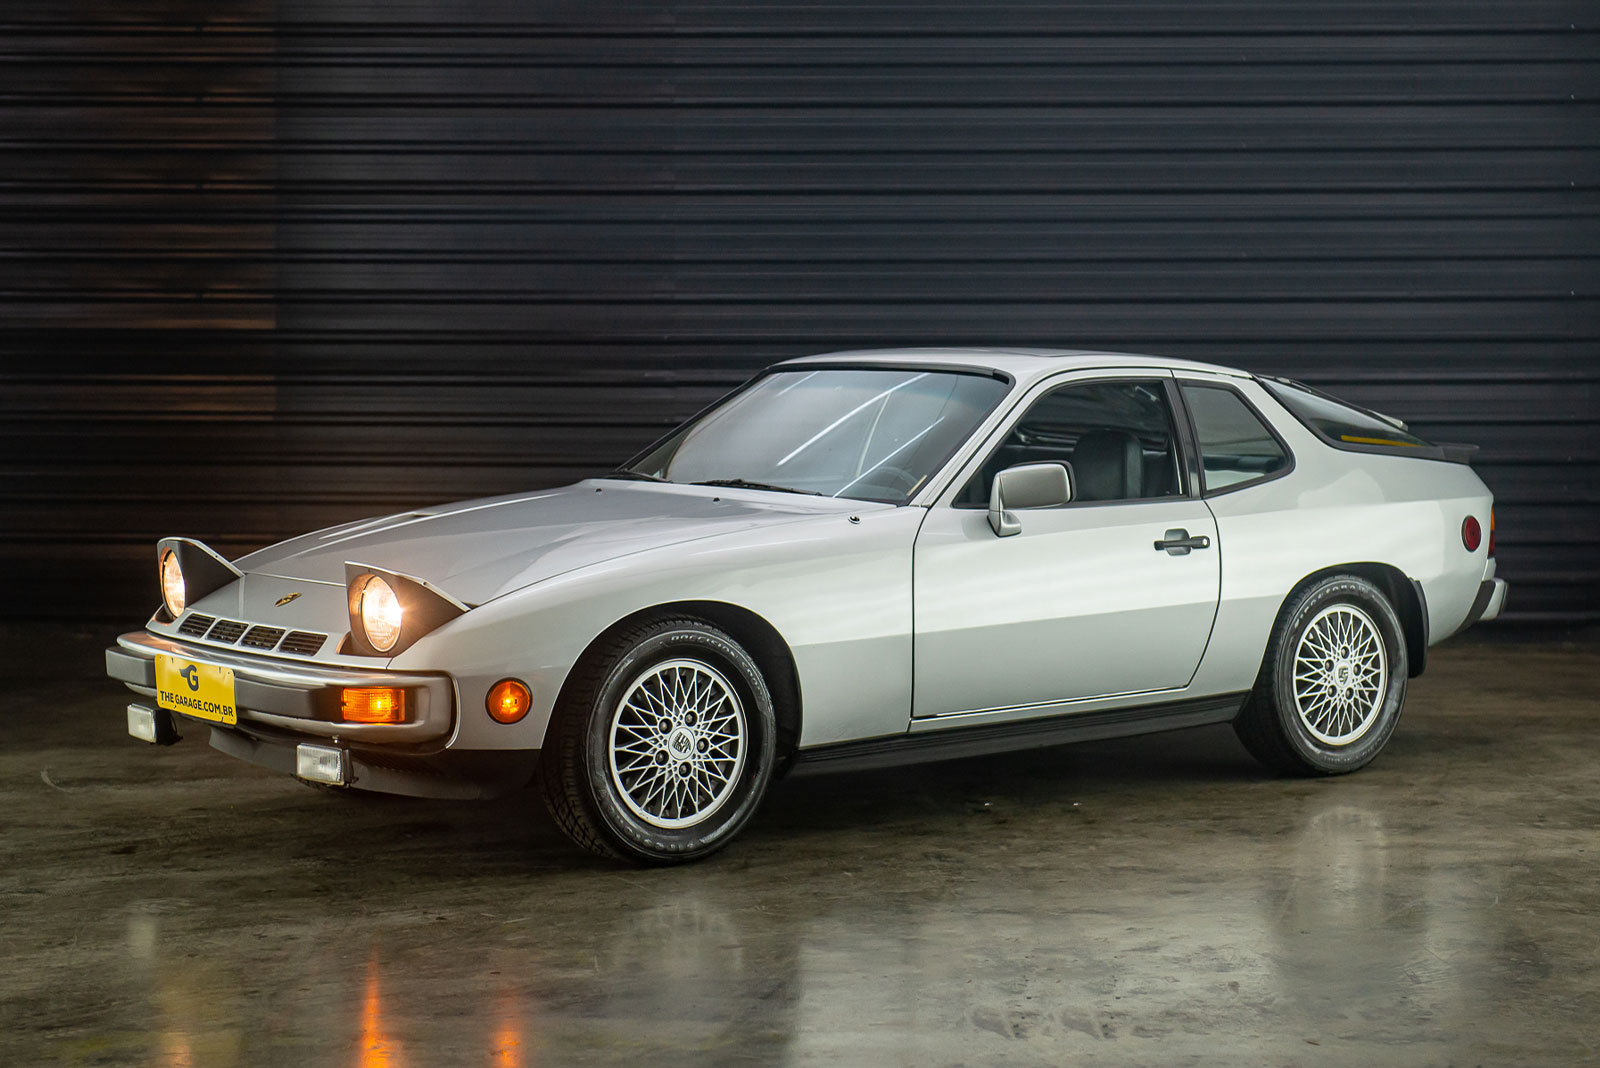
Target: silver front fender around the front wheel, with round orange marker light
(836, 588)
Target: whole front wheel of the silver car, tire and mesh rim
(663, 746)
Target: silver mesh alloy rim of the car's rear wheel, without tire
(1342, 675)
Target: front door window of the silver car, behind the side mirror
(1118, 437)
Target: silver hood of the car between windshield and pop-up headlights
(478, 551)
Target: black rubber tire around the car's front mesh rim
(577, 773)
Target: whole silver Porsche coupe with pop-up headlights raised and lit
(854, 560)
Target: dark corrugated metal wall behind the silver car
(273, 266)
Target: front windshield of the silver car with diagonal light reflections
(863, 434)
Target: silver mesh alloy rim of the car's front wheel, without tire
(678, 744)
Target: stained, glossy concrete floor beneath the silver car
(1146, 903)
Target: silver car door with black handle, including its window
(1081, 604)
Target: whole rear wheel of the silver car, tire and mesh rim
(1332, 683)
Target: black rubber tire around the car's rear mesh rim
(1271, 725)
